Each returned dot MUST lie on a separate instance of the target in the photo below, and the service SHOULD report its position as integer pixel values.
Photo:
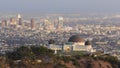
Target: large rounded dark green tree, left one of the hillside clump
(20, 53)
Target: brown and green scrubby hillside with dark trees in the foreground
(40, 57)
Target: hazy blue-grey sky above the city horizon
(99, 6)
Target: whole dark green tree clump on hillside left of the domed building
(29, 52)
